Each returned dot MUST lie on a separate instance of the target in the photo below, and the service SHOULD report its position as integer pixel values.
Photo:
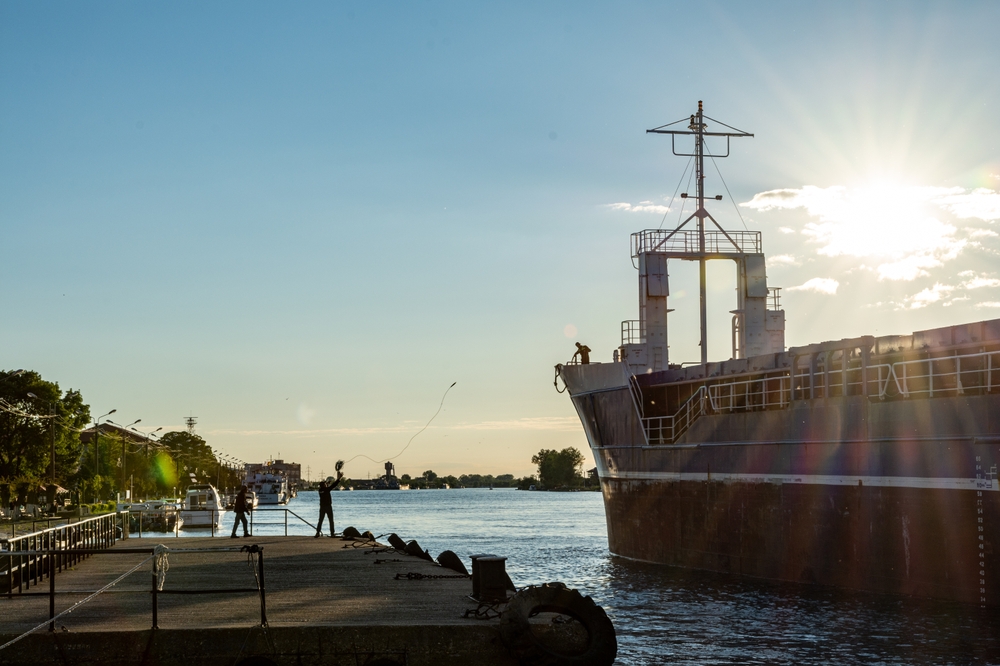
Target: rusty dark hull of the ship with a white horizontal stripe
(888, 497)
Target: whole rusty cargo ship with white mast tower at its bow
(867, 463)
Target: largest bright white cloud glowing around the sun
(909, 229)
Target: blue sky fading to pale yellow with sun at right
(301, 223)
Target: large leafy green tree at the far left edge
(27, 427)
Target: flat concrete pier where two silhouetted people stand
(328, 601)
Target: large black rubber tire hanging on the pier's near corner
(529, 650)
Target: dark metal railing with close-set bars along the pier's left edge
(22, 568)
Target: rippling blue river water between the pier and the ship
(661, 614)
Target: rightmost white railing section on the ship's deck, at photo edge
(942, 375)
